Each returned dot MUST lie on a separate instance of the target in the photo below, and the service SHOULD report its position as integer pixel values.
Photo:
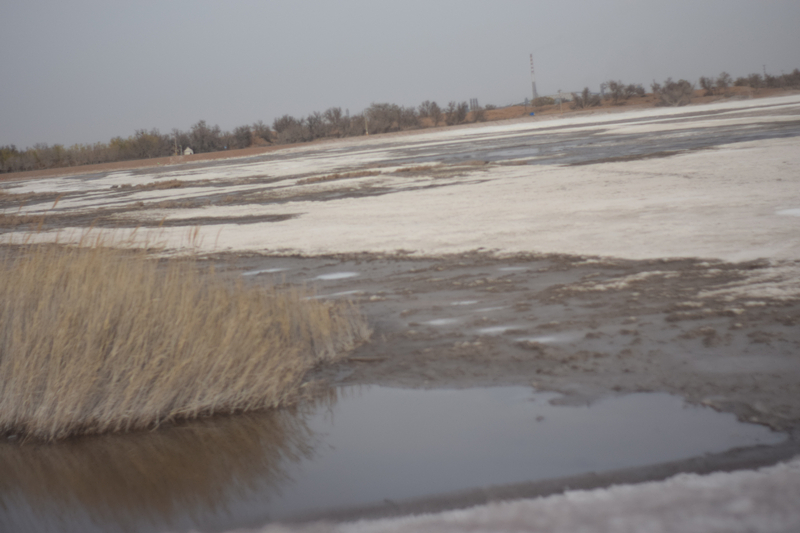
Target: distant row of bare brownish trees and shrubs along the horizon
(377, 118)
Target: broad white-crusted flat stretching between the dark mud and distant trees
(732, 201)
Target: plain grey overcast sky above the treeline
(84, 71)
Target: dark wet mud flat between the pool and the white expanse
(586, 327)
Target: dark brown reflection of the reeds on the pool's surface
(191, 475)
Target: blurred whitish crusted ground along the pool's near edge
(763, 500)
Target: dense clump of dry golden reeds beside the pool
(97, 339)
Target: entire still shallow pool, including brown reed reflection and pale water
(359, 447)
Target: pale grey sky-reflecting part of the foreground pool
(394, 444)
